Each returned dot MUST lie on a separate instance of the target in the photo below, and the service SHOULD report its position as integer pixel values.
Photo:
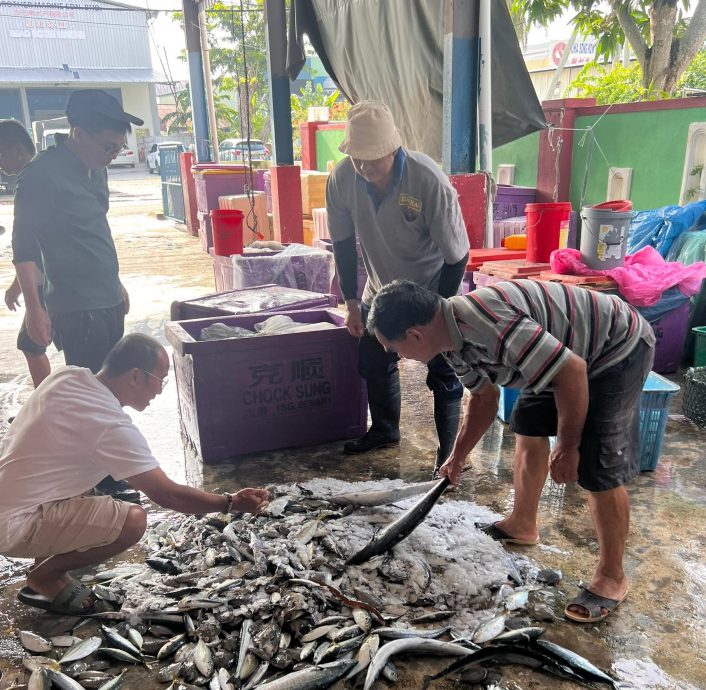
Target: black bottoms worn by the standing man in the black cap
(86, 337)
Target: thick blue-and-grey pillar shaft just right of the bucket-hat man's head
(461, 69)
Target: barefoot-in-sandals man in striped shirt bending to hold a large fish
(580, 358)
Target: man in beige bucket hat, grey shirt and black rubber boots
(403, 211)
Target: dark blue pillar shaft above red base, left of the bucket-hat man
(280, 106)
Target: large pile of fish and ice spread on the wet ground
(272, 602)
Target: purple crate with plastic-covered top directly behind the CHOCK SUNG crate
(255, 300)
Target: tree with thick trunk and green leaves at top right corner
(662, 38)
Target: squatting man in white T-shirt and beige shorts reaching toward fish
(71, 432)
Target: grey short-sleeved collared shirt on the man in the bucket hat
(410, 232)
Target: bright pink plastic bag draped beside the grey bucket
(643, 278)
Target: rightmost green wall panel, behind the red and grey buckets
(652, 143)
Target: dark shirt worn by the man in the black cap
(61, 220)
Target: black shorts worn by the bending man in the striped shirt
(610, 444)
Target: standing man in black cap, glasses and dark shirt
(61, 207)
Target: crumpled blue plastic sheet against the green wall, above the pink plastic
(659, 227)
